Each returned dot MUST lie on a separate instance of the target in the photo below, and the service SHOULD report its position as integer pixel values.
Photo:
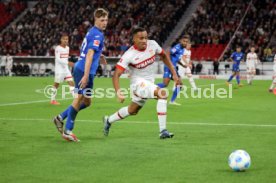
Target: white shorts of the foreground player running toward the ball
(142, 90)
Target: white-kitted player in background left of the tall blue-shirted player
(62, 72)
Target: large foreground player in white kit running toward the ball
(139, 58)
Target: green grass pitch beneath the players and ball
(206, 132)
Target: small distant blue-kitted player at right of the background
(236, 58)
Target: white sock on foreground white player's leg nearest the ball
(162, 113)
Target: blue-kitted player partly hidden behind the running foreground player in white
(176, 54)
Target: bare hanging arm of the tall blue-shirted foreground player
(88, 63)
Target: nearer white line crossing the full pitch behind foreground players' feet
(148, 122)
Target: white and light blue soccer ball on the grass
(239, 160)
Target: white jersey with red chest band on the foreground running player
(140, 63)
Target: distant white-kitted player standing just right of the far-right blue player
(251, 62)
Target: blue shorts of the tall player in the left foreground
(78, 74)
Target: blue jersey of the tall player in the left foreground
(94, 39)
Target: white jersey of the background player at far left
(61, 58)
